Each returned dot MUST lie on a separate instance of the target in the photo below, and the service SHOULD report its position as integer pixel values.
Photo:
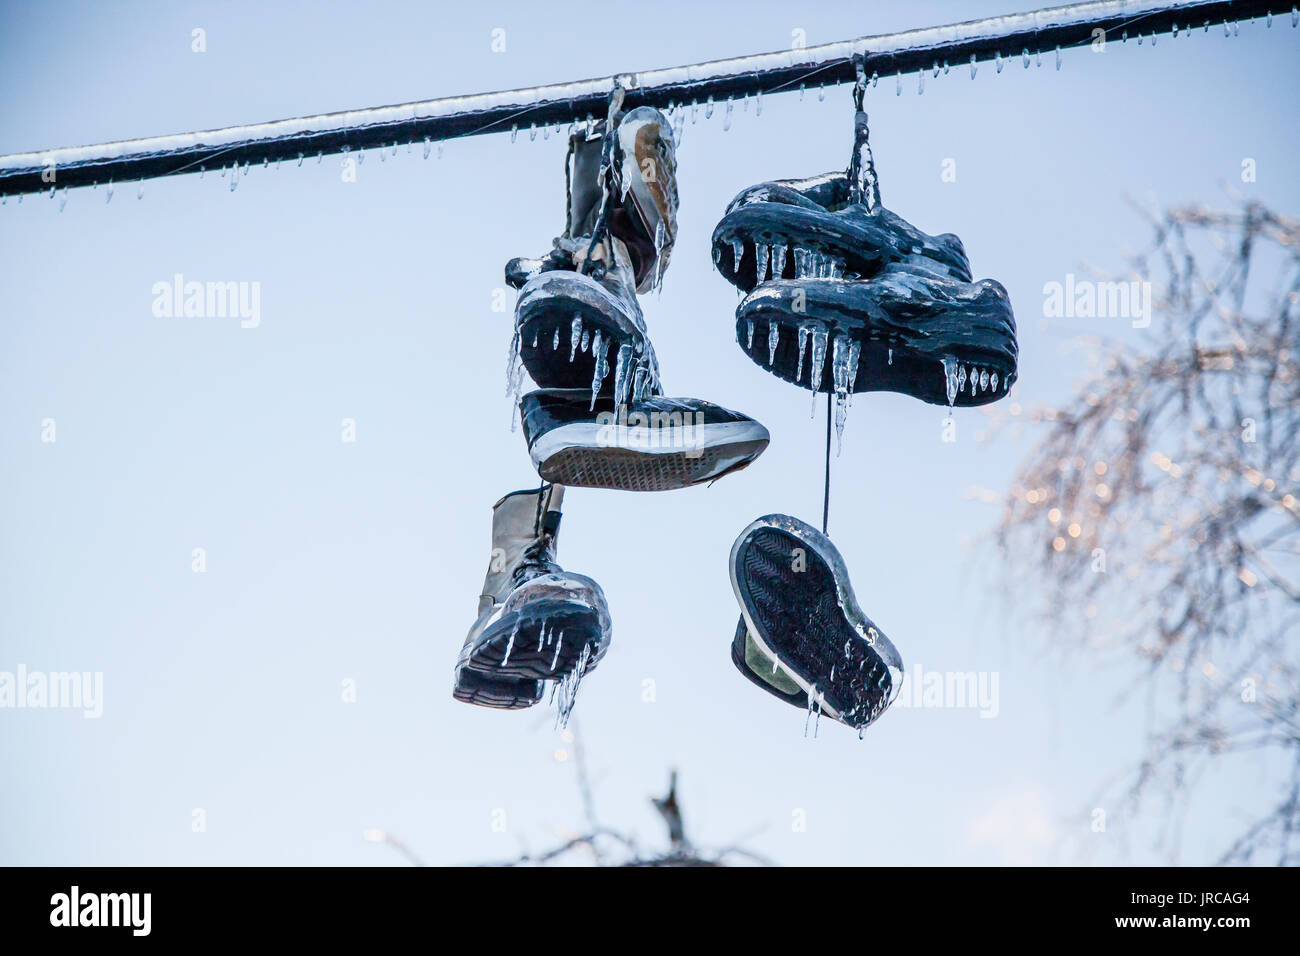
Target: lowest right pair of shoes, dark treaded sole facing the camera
(801, 629)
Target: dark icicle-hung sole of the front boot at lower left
(540, 647)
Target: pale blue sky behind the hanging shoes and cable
(332, 561)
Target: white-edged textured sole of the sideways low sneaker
(579, 456)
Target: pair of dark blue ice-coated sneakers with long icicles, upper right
(846, 300)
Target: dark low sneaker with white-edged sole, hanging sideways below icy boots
(653, 444)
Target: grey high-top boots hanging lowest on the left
(536, 621)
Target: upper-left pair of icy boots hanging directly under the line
(578, 305)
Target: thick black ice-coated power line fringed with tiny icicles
(957, 46)
